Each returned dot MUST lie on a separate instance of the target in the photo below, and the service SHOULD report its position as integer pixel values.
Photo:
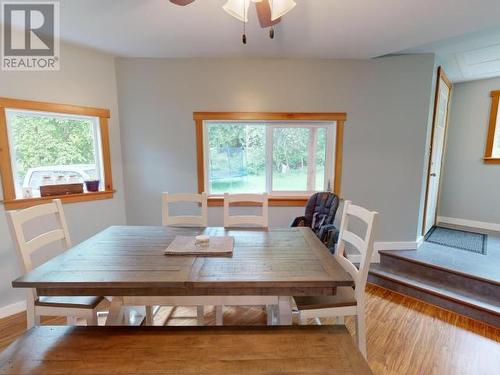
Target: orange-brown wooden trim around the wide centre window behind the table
(280, 201)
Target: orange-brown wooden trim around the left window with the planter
(10, 201)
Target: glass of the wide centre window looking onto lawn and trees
(267, 157)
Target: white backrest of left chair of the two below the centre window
(185, 220)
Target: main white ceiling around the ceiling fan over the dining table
(315, 28)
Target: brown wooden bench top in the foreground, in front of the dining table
(67, 350)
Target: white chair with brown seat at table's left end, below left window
(70, 307)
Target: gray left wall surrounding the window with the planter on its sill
(86, 78)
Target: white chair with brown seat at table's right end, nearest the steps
(347, 301)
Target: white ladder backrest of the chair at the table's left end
(26, 248)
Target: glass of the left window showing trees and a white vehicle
(51, 150)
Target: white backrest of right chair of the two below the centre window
(237, 220)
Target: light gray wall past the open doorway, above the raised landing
(470, 187)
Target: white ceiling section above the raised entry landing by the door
(468, 57)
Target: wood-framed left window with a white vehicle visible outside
(47, 144)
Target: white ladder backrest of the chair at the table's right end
(363, 245)
